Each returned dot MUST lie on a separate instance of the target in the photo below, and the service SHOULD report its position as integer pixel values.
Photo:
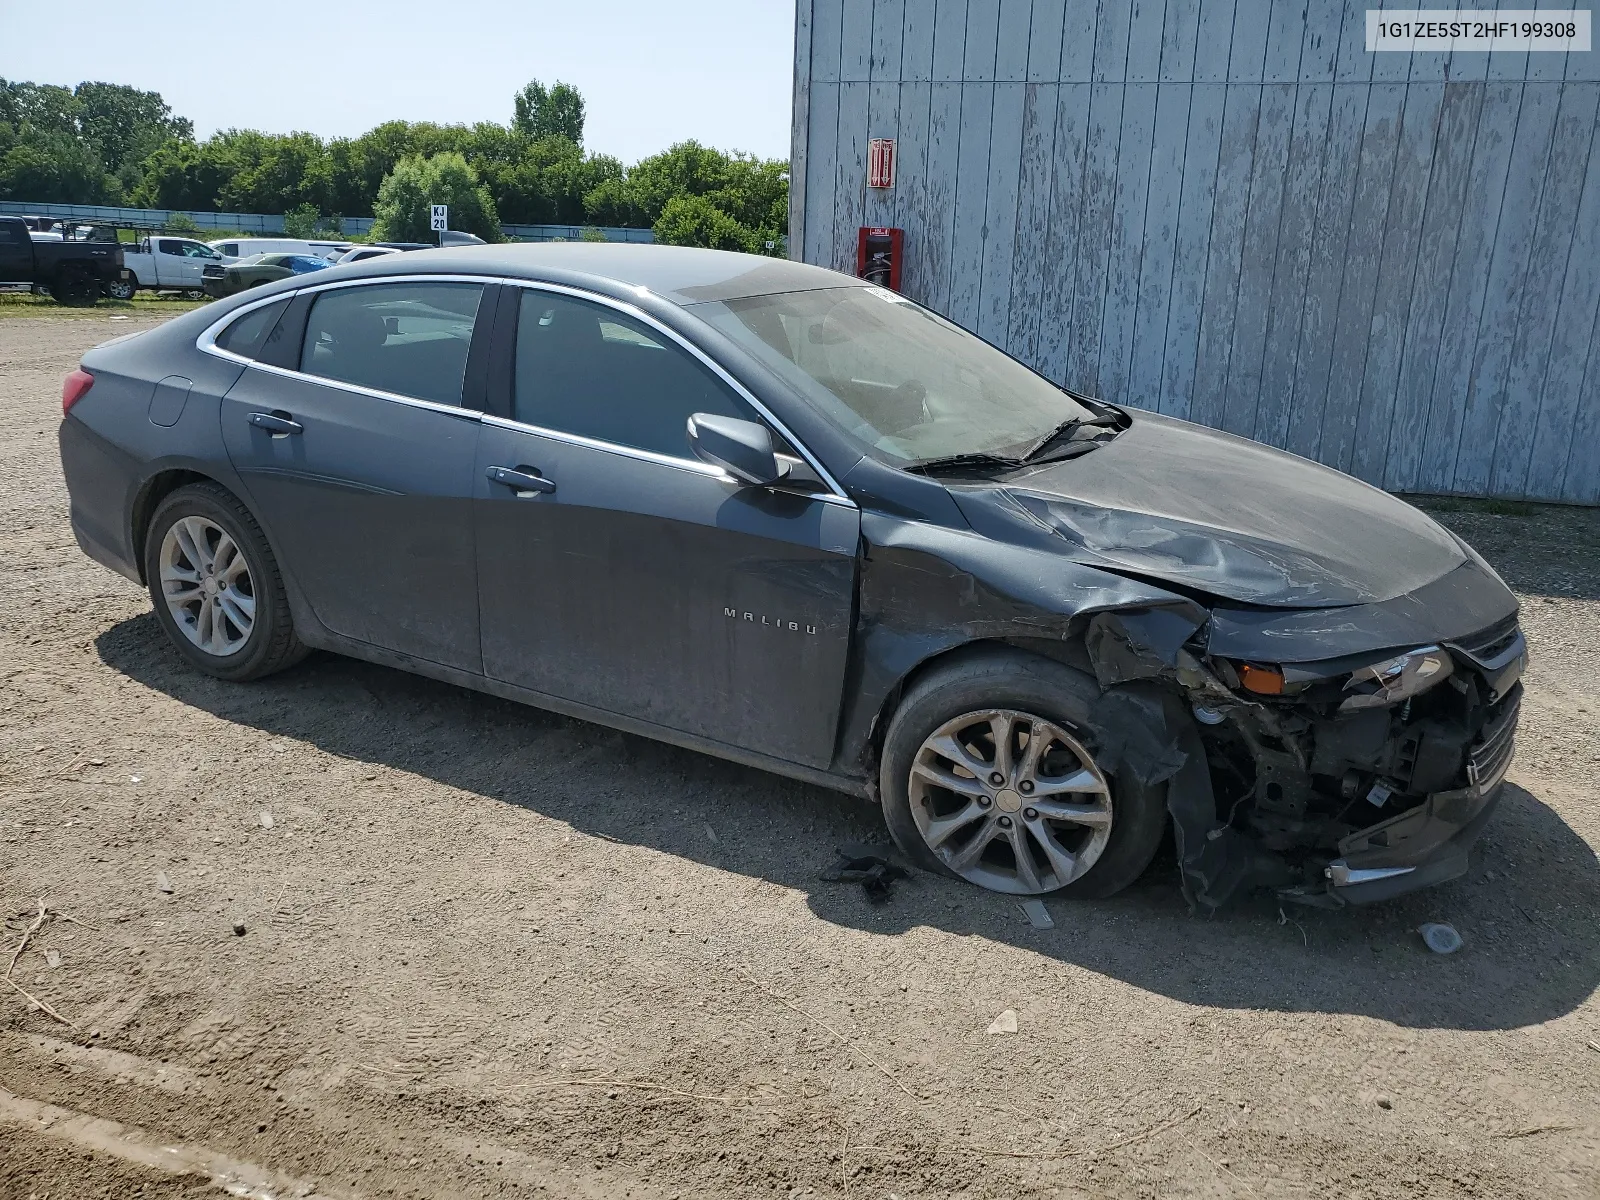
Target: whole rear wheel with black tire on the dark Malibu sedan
(209, 626)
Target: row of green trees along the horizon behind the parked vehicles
(103, 143)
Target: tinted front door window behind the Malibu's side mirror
(586, 369)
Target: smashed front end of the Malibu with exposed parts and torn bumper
(1337, 782)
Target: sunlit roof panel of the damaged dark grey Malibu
(681, 274)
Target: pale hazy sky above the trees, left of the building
(652, 71)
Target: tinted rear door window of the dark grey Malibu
(401, 338)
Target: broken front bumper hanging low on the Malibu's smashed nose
(1428, 844)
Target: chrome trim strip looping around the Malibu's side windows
(207, 343)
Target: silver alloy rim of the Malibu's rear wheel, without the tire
(209, 586)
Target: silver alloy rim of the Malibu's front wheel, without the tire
(1010, 802)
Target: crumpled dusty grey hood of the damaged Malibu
(1194, 506)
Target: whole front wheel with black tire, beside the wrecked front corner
(1100, 841)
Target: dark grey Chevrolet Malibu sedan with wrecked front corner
(794, 519)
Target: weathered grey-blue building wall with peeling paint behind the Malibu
(1228, 210)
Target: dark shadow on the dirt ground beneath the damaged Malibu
(1527, 910)
